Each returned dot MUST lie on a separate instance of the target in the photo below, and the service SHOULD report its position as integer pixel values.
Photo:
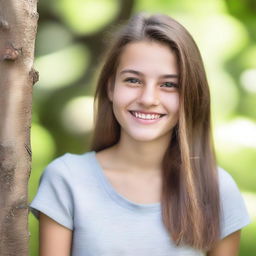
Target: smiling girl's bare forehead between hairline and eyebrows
(149, 57)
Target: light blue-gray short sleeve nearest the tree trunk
(54, 195)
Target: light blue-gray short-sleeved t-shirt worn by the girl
(75, 192)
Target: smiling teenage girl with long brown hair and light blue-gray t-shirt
(150, 185)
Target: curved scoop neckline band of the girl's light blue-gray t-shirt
(118, 198)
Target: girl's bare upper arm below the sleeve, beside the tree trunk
(54, 239)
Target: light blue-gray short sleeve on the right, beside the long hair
(234, 215)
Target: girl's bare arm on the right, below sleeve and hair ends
(229, 246)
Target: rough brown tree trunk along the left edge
(18, 25)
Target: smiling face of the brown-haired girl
(145, 93)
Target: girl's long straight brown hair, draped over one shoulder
(190, 195)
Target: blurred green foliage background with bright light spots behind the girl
(73, 36)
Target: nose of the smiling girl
(148, 95)
